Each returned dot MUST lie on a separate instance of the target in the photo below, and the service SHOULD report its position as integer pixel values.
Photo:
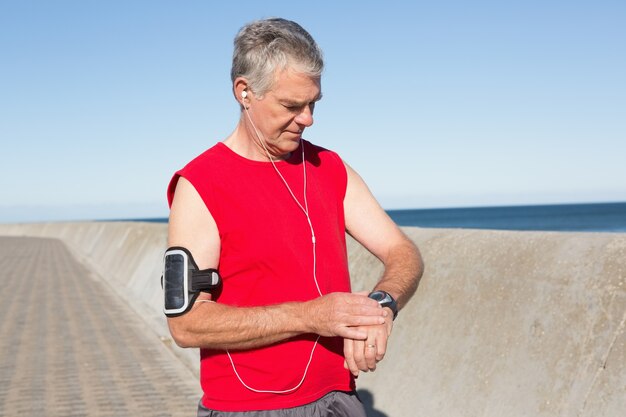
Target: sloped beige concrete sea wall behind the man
(503, 324)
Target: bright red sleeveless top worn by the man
(267, 258)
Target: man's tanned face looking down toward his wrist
(283, 113)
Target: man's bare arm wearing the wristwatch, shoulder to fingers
(370, 225)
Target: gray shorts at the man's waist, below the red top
(335, 403)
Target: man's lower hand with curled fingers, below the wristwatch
(364, 354)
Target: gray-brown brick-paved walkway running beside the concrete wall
(70, 347)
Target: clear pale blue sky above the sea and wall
(435, 104)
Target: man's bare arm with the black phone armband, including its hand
(218, 326)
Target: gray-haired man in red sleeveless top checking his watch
(269, 210)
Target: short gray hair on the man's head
(264, 46)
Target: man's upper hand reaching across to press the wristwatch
(346, 315)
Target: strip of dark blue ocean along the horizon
(594, 217)
